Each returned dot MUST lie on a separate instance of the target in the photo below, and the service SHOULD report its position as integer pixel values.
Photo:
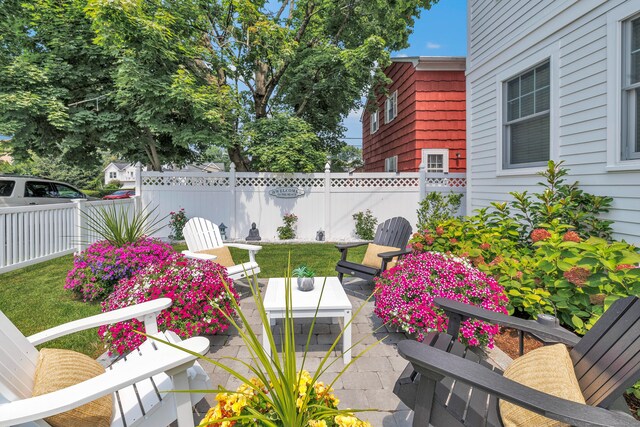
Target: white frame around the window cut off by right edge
(616, 20)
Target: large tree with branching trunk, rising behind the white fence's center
(308, 59)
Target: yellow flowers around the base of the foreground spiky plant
(314, 396)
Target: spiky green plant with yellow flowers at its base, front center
(272, 396)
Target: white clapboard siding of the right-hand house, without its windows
(577, 36)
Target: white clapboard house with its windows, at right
(555, 80)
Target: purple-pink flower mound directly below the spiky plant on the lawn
(97, 269)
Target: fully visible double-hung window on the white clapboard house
(526, 122)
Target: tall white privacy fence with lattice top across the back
(322, 201)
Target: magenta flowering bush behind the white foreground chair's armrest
(199, 300)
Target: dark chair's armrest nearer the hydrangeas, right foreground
(464, 311)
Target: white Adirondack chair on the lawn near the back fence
(201, 234)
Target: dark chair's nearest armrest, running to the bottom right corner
(437, 364)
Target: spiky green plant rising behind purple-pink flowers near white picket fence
(122, 225)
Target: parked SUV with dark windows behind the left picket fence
(20, 190)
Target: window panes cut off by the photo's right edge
(631, 89)
